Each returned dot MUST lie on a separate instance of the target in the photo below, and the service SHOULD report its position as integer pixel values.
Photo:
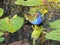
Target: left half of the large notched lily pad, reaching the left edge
(3, 24)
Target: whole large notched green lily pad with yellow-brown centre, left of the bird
(11, 25)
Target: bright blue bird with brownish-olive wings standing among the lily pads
(34, 18)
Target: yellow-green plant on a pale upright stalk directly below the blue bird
(36, 33)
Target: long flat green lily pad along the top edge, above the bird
(28, 2)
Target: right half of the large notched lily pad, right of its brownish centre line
(16, 23)
